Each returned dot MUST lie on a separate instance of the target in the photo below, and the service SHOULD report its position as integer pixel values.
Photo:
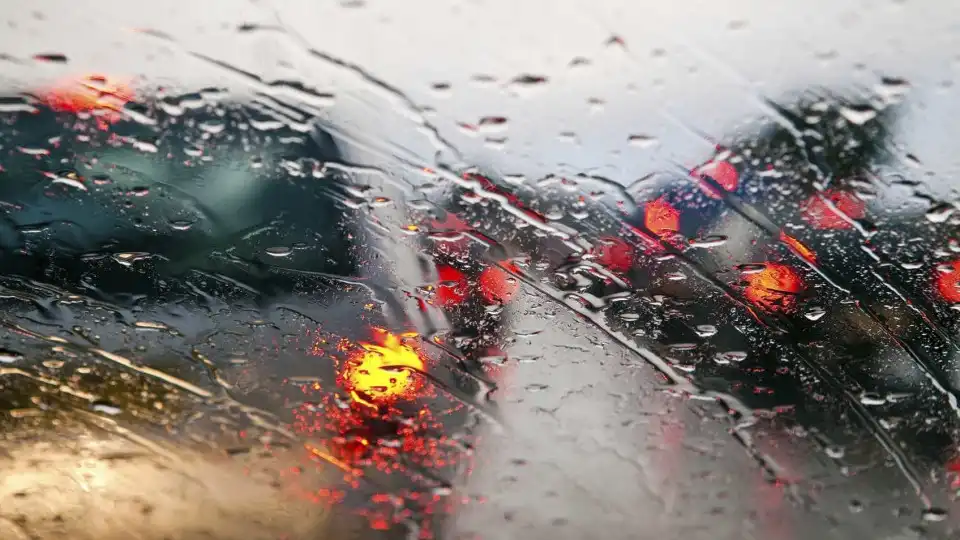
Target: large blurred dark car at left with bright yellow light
(200, 273)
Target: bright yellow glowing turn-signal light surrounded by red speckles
(383, 373)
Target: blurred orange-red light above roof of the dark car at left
(89, 94)
